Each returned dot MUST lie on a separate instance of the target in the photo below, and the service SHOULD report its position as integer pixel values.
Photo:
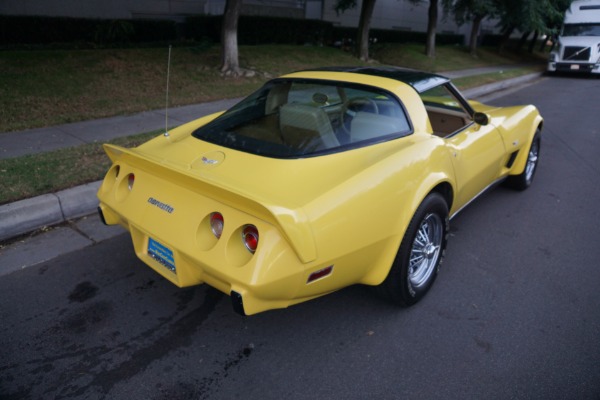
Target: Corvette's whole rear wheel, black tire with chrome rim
(427, 233)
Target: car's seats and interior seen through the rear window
(314, 117)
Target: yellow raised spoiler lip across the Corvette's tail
(293, 222)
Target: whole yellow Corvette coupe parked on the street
(319, 180)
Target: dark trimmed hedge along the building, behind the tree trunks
(252, 30)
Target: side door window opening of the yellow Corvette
(446, 113)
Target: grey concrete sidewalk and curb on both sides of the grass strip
(51, 209)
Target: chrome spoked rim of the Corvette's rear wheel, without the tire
(425, 251)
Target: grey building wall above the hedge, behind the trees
(388, 14)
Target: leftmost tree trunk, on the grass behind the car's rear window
(230, 63)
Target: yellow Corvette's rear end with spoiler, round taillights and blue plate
(191, 231)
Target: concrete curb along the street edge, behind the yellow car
(50, 209)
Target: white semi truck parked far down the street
(578, 46)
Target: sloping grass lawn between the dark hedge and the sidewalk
(49, 87)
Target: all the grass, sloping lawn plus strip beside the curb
(48, 87)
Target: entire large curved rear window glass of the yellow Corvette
(298, 118)
